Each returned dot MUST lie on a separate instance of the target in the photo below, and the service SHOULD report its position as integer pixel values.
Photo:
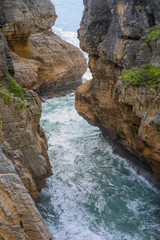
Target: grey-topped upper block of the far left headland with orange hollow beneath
(23, 18)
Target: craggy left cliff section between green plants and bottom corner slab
(25, 143)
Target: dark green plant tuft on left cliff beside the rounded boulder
(14, 88)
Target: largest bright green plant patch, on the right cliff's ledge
(147, 75)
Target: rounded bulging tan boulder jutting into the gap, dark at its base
(61, 64)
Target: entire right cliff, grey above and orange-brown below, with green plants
(119, 36)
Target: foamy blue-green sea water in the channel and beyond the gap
(93, 194)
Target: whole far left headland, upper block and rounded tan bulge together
(42, 60)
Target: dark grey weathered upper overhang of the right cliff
(115, 30)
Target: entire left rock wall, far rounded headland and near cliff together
(31, 58)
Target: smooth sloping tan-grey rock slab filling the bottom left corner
(19, 218)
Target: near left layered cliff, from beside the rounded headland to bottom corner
(24, 162)
